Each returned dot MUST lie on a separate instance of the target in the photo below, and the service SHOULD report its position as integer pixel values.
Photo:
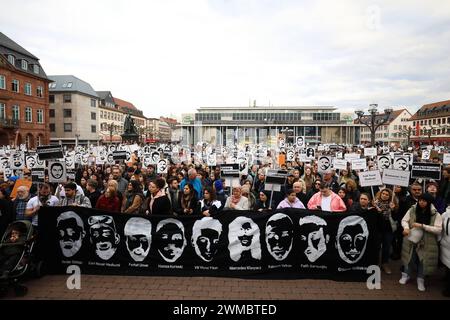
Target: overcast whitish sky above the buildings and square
(172, 56)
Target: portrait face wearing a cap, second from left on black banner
(103, 235)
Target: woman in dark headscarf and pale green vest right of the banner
(422, 224)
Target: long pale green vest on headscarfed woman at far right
(427, 249)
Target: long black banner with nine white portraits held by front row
(291, 243)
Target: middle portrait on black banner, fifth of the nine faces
(205, 237)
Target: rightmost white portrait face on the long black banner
(352, 239)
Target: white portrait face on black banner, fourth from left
(171, 235)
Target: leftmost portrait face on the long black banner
(71, 232)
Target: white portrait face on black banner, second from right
(314, 237)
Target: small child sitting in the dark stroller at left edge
(11, 251)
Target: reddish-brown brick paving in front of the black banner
(204, 288)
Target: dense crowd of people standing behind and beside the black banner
(411, 221)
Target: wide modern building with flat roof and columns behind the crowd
(264, 125)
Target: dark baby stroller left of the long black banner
(26, 264)
